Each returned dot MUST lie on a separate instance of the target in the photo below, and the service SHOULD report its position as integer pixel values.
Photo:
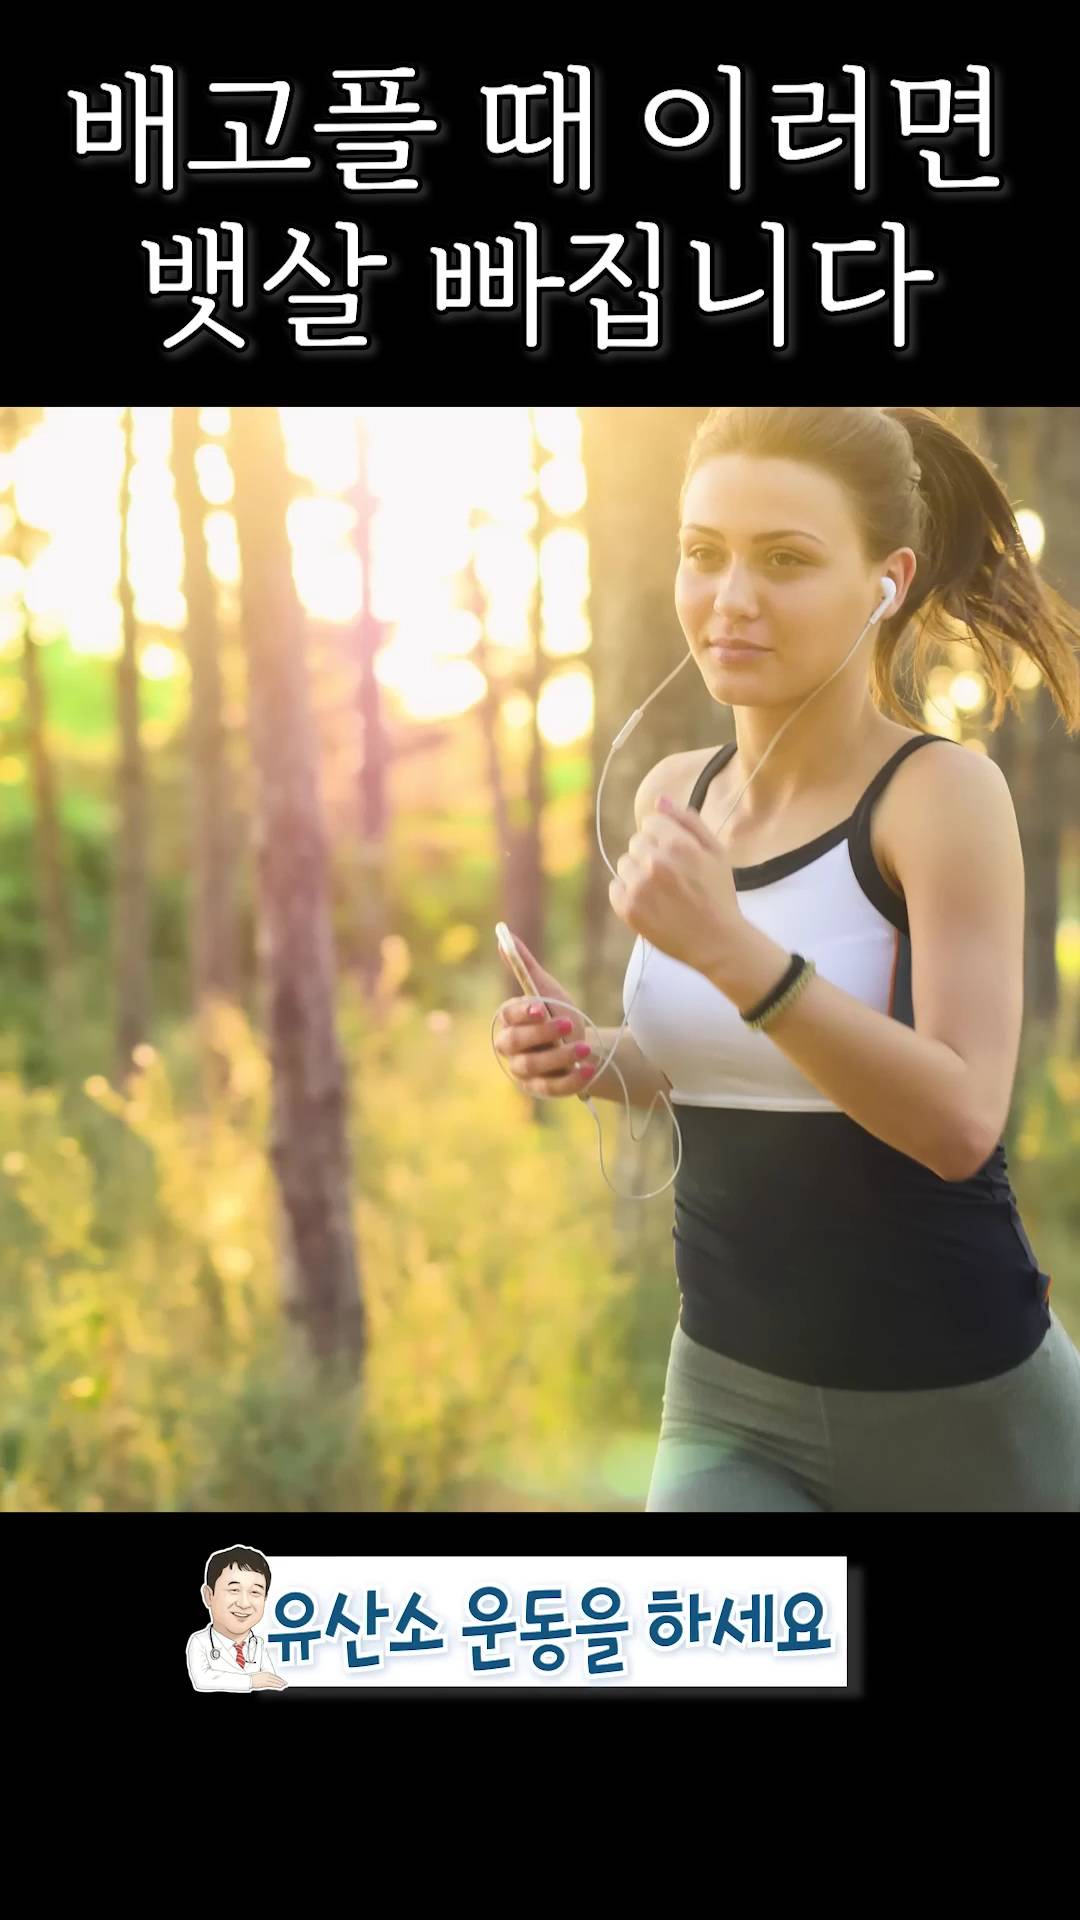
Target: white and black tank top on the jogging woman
(804, 1245)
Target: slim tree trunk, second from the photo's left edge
(132, 882)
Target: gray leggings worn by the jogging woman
(739, 1441)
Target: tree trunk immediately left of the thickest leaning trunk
(214, 938)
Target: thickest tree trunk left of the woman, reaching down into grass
(308, 1140)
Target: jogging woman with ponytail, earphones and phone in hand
(833, 997)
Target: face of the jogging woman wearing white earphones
(770, 554)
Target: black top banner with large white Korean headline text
(430, 226)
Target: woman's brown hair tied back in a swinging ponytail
(914, 481)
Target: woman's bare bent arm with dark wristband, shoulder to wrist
(941, 1092)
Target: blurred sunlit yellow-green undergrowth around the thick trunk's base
(139, 1324)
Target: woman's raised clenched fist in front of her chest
(675, 888)
